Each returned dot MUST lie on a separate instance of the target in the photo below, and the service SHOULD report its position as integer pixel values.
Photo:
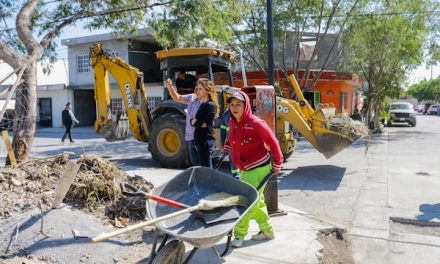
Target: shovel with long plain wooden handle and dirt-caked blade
(210, 202)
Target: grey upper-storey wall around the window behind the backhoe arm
(86, 78)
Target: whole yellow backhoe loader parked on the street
(164, 128)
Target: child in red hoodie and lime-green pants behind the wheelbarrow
(247, 140)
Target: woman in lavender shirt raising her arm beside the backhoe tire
(193, 106)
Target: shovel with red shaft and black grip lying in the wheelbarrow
(210, 216)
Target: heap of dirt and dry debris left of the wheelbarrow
(95, 189)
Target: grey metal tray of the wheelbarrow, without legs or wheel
(189, 187)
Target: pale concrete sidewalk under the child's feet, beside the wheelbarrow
(295, 242)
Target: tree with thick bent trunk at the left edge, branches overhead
(37, 23)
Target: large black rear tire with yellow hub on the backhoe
(167, 141)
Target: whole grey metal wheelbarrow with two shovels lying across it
(188, 188)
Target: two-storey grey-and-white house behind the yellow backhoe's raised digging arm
(137, 50)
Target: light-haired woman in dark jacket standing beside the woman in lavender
(203, 122)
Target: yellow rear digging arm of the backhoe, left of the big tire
(131, 85)
